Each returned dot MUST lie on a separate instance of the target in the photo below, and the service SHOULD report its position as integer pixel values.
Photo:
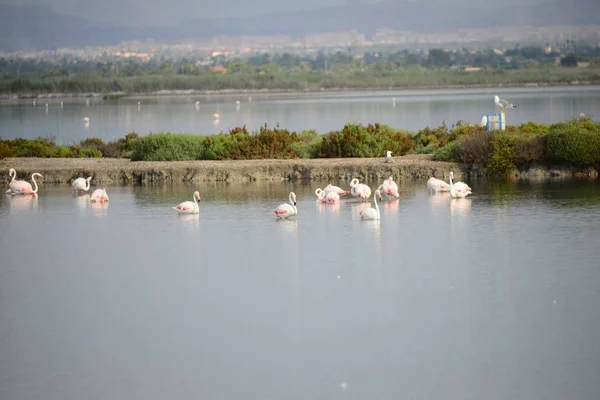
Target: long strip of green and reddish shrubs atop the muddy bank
(575, 142)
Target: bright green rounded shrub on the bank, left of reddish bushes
(167, 147)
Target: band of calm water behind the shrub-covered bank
(320, 111)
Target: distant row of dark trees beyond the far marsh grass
(378, 61)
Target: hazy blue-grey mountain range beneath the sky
(36, 27)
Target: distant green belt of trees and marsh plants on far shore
(383, 69)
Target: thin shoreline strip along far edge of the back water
(16, 98)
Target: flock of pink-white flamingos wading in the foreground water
(329, 195)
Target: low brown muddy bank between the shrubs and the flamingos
(411, 167)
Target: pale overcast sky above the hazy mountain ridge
(170, 12)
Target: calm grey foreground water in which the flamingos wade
(492, 297)
